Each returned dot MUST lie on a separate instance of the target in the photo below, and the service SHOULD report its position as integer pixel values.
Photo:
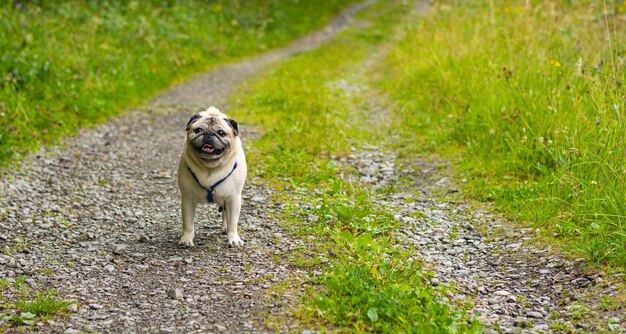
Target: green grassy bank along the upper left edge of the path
(68, 64)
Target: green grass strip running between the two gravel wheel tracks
(310, 114)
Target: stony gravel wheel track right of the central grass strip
(512, 285)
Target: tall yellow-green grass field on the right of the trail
(531, 102)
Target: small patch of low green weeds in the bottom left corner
(22, 306)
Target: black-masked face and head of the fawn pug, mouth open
(211, 134)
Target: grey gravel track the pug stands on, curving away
(98, 219)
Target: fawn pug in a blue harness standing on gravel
(212, 169)
